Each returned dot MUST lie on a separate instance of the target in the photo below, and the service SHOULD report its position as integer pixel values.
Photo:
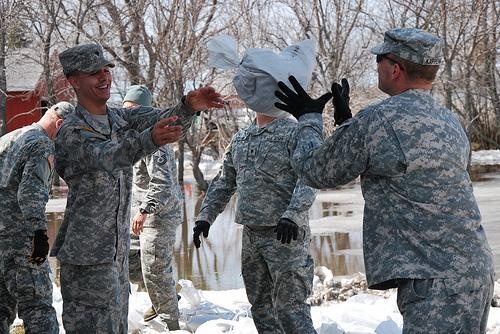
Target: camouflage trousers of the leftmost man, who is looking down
(30, 285)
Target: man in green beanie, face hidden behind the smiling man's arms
(157, 204)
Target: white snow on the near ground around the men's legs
(228, 312)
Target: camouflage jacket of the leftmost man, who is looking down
(25, 157)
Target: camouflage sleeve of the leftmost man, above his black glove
(33, 191)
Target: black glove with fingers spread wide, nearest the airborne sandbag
(298, 102)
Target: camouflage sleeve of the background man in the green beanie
(160, 194)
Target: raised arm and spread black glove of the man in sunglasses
(338, 160)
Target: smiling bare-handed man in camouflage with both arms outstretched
(95, 150)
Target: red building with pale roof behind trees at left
(27, 92)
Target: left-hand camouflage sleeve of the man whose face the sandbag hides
(220, 190)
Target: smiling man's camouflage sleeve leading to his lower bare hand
(75, 145)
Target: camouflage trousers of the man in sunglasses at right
(452, 305)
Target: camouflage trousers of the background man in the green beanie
(157, 245)
